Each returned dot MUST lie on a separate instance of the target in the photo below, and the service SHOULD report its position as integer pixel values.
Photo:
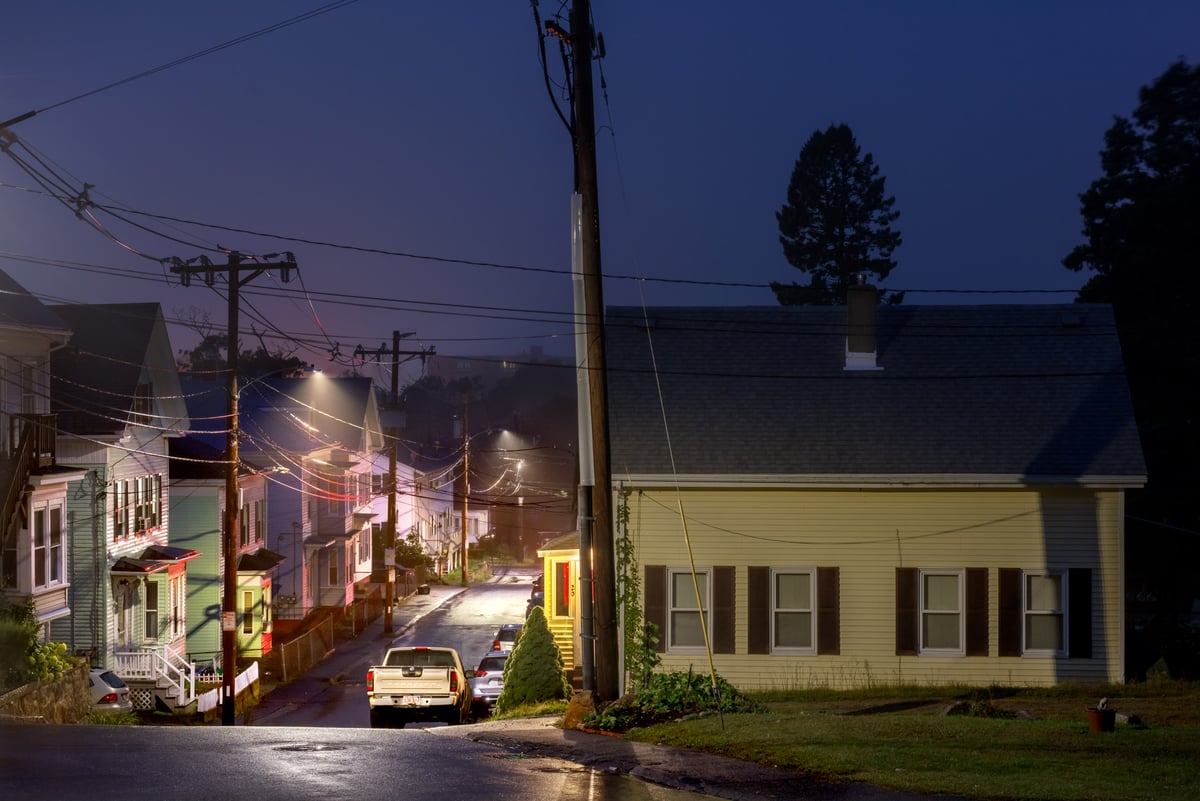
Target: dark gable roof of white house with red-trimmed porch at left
(115, 350)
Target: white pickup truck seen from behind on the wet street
(418, 683)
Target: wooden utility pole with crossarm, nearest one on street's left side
(232, 513)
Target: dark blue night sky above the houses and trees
(427, 129)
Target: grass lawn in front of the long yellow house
(1021, 744)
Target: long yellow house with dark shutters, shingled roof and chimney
(878, 495)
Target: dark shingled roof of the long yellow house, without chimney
(1001, 395)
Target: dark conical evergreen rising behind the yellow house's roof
(837, 222)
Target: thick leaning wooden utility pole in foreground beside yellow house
(604, 588)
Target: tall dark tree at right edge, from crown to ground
(1141, 224)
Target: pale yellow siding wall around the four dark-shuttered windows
(869, 534)
